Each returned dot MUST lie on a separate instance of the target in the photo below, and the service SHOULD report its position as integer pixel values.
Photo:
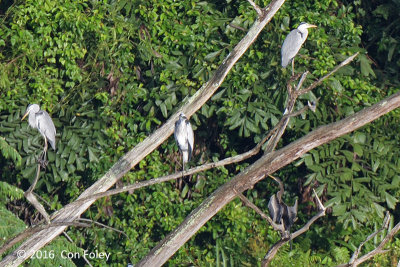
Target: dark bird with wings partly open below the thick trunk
(280, 212)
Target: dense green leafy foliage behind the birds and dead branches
(111, 72)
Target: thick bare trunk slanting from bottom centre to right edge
(268, 164)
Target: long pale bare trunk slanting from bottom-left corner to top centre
(134, 156)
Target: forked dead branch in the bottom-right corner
(355, 261)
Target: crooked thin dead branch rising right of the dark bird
(274, 249)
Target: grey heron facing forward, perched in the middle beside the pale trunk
(184, 138)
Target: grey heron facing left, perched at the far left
(41, 120)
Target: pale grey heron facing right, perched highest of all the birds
(293, 43)
